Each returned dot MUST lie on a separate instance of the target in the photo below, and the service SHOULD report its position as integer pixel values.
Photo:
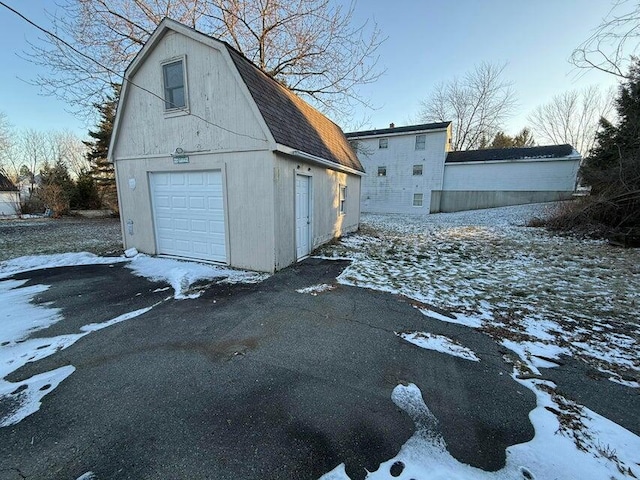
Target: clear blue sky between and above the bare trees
(428, 42)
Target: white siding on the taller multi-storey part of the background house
(394, 192)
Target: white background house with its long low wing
(411, 170)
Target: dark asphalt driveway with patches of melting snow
(251, 381)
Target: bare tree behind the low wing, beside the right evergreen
(572, 117)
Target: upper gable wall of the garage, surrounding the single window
(215, 97)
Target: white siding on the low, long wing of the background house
(520, 175)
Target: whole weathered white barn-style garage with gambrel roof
(216, 161)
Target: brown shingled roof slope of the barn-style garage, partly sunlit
(291, 120)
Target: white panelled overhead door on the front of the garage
(189, 214)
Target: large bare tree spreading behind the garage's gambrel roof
(311, 46)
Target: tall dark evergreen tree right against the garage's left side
(102, 169)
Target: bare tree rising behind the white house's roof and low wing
(477, 104)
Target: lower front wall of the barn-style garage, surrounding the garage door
(248, 197)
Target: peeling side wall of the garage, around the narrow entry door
(327, 220)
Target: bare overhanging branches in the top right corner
(611, 45)
